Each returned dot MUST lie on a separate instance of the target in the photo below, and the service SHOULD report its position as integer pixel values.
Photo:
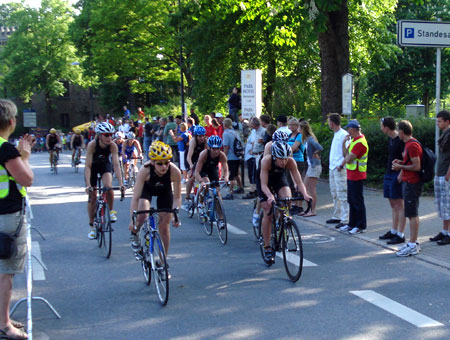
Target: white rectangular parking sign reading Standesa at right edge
(423, 33)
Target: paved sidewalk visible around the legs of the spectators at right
(379, 221)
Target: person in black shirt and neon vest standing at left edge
(14, 164)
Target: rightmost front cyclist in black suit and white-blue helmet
(273, 179)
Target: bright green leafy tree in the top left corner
(39, 56)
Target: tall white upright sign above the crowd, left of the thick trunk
(251, 93)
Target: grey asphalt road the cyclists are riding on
(350, 289)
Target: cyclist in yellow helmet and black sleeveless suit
(156, 178)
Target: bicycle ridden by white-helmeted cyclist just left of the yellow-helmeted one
(102, 219)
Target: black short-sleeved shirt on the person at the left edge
(13, 202)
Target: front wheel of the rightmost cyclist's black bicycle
(292, 251)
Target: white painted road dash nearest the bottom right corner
(396, 308)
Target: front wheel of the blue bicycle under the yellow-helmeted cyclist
(159, 269)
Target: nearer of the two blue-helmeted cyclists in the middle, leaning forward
(206, 169)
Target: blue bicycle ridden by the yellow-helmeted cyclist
(152, 253)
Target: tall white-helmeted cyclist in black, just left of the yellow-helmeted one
(98, 161)
